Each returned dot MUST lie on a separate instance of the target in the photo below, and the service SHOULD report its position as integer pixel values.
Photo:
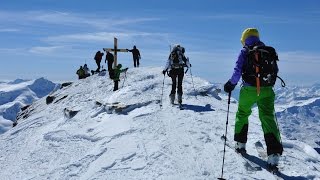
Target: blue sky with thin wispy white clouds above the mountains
(52, 38)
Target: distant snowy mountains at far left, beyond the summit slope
(19, 93)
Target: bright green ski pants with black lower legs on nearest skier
(265, 102)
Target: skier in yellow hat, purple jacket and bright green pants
(257, 89)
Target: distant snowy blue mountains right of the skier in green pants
(298, 112)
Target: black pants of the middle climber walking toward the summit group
(177, 74)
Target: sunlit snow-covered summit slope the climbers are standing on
(140, 140)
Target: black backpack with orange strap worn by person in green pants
(261, 63)
